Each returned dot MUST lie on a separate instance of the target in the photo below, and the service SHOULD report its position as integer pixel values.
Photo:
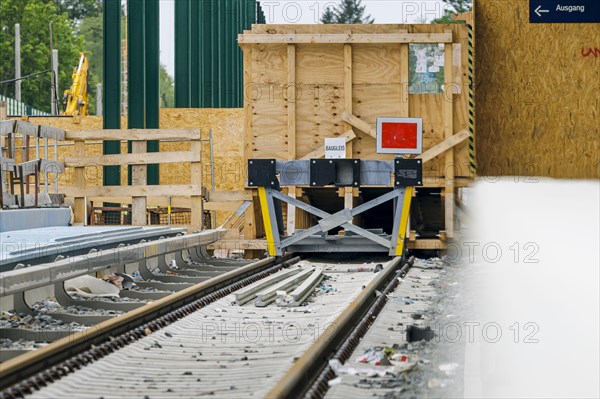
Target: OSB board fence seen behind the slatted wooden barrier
(227, 128)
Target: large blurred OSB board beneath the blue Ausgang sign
(537, 96)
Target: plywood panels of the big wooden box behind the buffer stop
(376, 91)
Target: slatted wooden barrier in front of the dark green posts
(137, 194)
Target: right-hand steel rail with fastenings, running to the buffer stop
(308, 372)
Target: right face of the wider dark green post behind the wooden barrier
(152, 35)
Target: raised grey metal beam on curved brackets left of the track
(20, 280)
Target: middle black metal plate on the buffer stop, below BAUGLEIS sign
(337, 172)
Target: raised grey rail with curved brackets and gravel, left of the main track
(163, 267)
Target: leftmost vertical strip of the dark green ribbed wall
(182, 53)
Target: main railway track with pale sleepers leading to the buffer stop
(201, 341)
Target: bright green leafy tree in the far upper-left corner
(35, 17)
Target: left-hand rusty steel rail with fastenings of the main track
(27, 372)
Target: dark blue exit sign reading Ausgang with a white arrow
(564, 11)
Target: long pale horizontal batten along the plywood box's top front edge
(345, 38)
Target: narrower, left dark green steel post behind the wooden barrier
(112, 87)
